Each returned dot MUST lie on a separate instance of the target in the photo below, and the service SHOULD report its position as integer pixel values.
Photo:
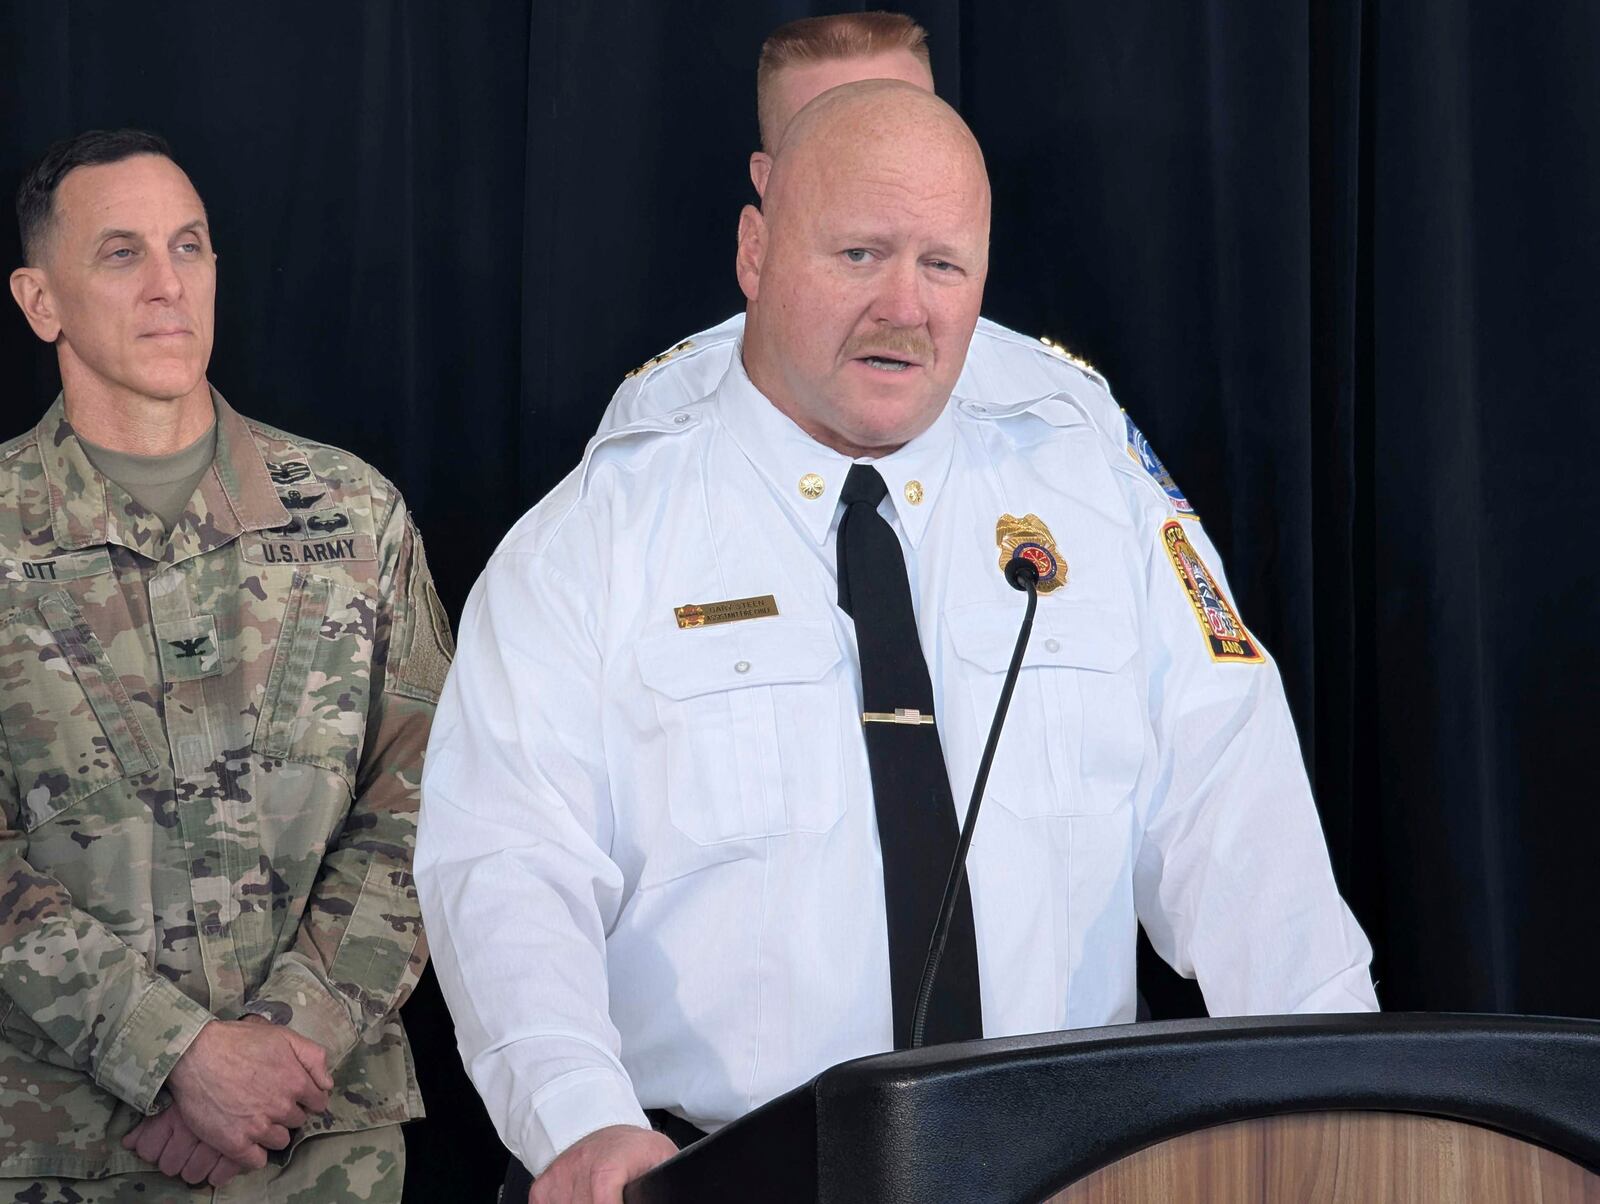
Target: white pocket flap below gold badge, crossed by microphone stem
(1066, 635)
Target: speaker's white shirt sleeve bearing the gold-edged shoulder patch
(1233, 881)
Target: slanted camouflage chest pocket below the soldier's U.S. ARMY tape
(314, 708)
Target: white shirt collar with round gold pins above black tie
(798, 467)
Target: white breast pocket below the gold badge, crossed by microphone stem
(1074, 740)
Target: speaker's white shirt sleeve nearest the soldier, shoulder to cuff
(511, 864)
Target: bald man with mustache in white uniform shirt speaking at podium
(654, 851)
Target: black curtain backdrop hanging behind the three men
(1340, 260)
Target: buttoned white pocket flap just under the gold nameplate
(761, 652)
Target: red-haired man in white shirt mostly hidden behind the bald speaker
(801, 62)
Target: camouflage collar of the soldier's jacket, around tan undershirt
(87, 510)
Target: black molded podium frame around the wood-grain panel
(1017, 1120)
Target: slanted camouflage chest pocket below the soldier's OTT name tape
(68, 721)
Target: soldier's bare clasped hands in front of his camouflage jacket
(238, 1093)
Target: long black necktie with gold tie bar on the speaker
(911, 787)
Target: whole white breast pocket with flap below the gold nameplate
(754, 724)
